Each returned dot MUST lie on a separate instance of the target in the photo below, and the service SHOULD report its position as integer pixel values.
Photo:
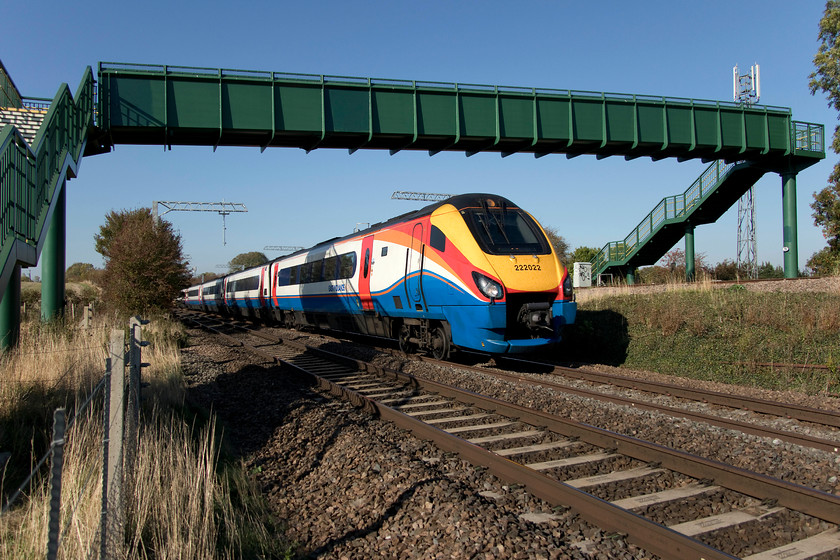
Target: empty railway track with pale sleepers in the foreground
(616, 482)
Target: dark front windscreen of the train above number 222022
(501, 230)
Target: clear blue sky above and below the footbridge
(681, 49)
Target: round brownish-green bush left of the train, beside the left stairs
(145, 267)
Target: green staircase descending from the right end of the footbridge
(706, 200)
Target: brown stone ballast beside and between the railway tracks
(352, 486)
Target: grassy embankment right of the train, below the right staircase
(719, 335)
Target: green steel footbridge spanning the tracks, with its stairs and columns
(43, 141)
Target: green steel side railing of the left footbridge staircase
(29, 173)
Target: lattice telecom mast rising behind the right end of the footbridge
(747, 90)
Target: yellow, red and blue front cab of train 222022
(520, 295)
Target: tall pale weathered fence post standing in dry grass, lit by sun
(113, 537)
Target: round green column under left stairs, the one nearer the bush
(53, 261)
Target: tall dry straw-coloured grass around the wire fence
(186, 499)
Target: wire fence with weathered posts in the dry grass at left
(119, 391)
